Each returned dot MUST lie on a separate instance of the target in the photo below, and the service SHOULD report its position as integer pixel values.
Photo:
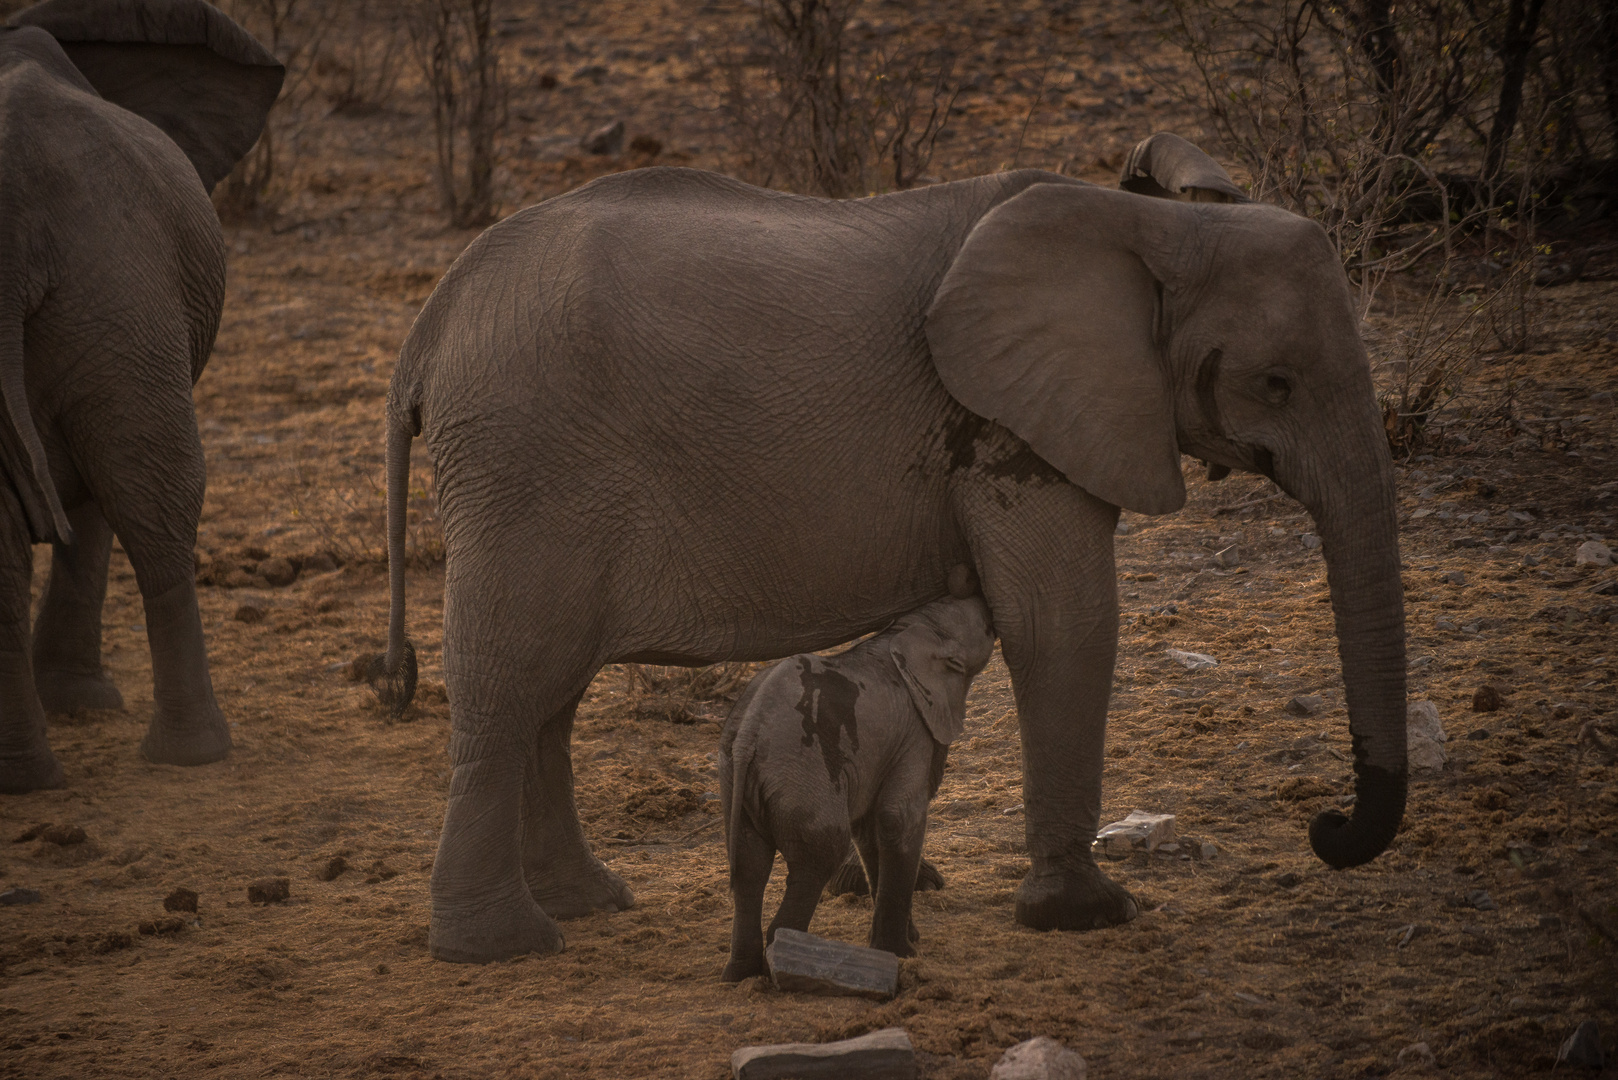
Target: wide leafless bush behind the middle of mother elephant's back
(823, 109)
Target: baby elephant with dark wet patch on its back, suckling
(821, 750)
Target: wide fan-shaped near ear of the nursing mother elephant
(1049, 325)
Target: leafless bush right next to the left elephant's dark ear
(292, 30)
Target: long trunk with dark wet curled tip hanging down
(1360, 538)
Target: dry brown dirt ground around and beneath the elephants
(1253, 963)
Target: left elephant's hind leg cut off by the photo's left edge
(27, 763)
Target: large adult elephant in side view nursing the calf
(680, 420)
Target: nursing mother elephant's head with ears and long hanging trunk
(1117, 331)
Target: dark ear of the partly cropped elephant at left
(180, 64)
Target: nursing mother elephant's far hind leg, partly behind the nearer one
(562, 874)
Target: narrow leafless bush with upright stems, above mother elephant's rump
(454, 45)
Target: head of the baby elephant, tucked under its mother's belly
(938, 650)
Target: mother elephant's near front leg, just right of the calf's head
(1048, 568)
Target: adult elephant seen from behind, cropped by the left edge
(117, 119)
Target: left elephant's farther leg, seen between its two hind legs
(67, 636)
